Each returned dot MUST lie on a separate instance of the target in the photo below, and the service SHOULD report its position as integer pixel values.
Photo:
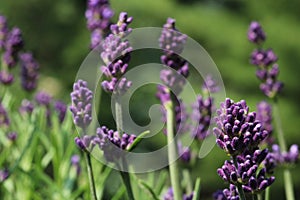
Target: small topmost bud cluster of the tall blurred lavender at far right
(255, 33)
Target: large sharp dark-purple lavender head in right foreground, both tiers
(239, 134)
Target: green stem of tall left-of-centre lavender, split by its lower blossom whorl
(124, 173)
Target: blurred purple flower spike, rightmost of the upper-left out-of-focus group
(29, 72)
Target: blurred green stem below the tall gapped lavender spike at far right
(288, 183)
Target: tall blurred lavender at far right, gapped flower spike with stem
(267, 72)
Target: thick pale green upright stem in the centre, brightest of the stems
(173, 152)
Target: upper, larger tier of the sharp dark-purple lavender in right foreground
(238, 129)
